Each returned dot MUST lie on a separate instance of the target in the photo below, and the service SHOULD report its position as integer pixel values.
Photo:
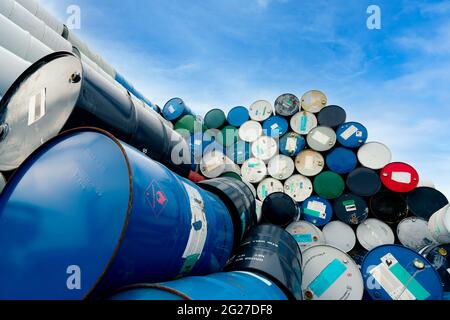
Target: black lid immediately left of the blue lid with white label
(279, 209)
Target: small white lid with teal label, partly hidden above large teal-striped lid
(306, 234)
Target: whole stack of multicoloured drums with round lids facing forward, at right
(366, 226)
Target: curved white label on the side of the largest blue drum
(199, 230)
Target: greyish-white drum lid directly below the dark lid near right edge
(413, 233)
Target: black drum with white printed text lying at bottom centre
(272, 252)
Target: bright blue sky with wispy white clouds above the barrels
(225, 53)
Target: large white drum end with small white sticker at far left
(37, 106)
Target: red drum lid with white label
(399, 177)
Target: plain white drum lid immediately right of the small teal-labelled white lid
(340, 235)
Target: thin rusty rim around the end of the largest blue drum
(117, 142)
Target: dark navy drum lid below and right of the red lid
(424, 202)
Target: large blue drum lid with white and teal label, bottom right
(393, 272)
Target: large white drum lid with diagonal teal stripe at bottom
(330, 274)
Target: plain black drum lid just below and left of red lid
(389, 206)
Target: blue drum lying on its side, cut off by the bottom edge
(236, 285)
